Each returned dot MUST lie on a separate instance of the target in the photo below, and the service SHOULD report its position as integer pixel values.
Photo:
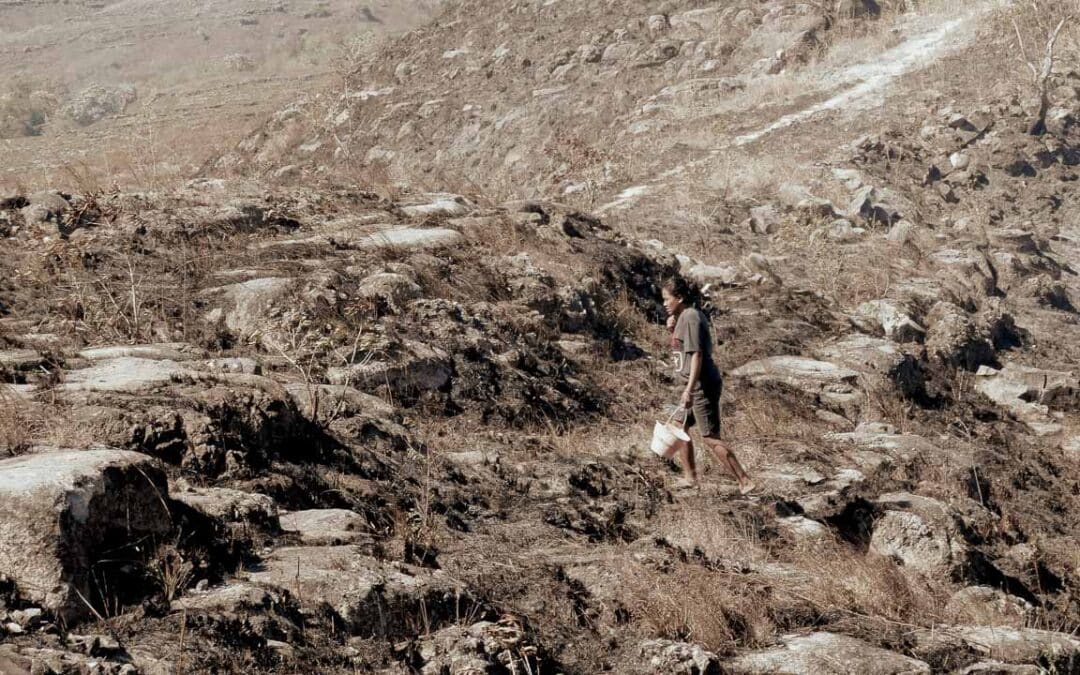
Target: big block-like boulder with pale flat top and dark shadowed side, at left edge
(63, 512)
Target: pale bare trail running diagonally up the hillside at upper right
(854, 90)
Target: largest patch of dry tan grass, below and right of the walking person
(734, 593)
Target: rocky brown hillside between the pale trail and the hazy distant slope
(572, 100)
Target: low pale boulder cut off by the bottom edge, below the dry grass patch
(826, 654)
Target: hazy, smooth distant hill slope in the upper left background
(120, 87)
